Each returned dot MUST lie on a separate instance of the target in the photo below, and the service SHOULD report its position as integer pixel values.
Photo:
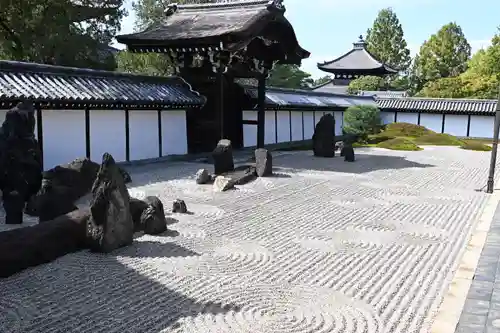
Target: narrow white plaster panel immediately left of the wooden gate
(173, 132)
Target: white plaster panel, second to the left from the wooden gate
(143, 134)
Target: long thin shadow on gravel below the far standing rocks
(364, 163)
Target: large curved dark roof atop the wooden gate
(229, 26)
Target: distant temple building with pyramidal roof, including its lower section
(355, 63)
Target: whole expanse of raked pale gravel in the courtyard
(322, 246)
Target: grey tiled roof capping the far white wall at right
(439, 105)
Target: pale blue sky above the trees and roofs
(327, 28)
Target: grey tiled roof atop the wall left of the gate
(65, 85)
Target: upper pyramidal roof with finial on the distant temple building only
(358, 61)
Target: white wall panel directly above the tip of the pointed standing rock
(107, 134)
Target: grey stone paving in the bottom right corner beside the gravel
(481, 313)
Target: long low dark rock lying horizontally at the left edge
(27, 247)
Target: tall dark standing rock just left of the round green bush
(324, 137)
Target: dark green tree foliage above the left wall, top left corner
(60, 32)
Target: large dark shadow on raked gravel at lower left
(100, 295)
